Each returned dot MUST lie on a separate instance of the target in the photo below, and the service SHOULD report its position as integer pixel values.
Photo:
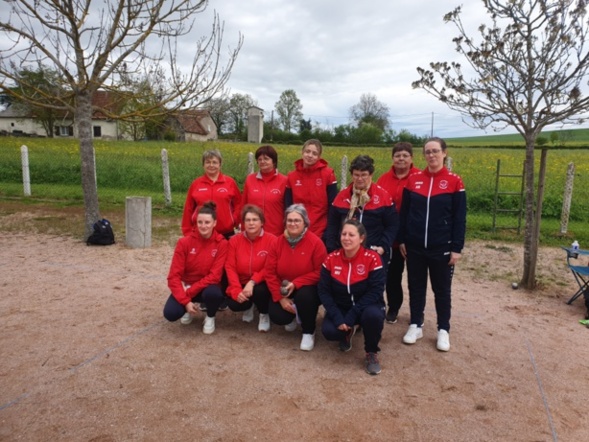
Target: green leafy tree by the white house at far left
(40, 85)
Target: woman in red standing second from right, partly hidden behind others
(394, 181)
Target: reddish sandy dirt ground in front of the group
(87, 356)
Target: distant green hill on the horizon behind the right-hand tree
(556, 138)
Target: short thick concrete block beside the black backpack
(138, 221)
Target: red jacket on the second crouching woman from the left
(246, 260)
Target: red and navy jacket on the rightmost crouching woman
(347, 286)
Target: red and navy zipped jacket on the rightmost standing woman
(433, 214)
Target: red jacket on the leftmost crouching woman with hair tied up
(197, 262)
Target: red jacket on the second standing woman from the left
(268, 194)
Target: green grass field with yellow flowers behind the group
(134, 169)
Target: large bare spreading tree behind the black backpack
(92, 44)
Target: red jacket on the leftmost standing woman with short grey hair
(224, 192)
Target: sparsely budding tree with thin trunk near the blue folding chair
(526, 75)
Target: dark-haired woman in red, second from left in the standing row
(266, 189)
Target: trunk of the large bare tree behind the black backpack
(83, 118)
